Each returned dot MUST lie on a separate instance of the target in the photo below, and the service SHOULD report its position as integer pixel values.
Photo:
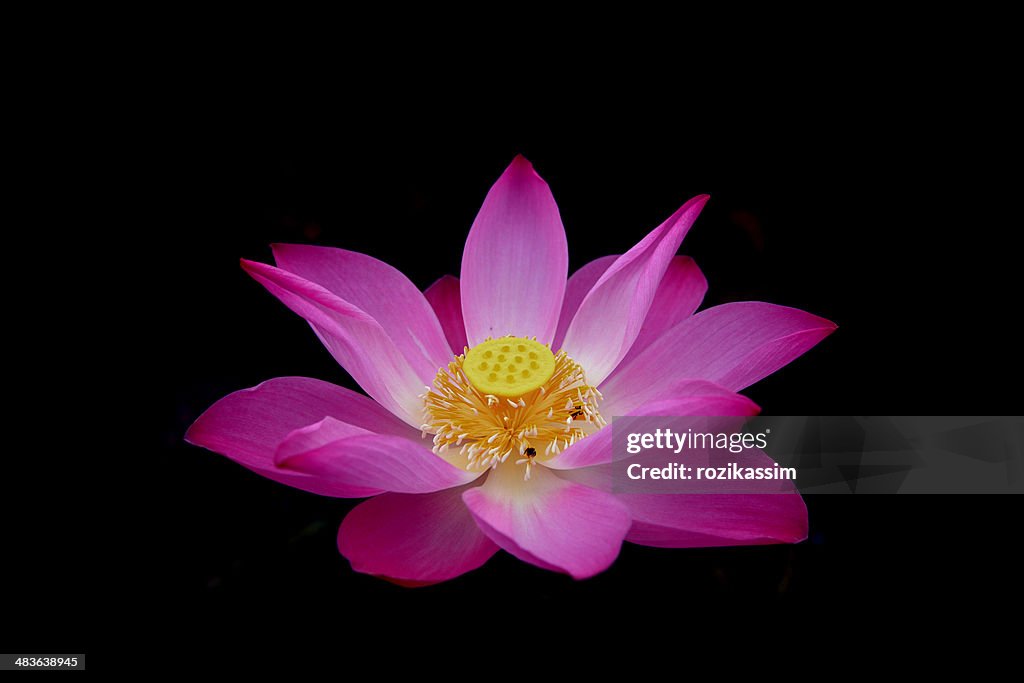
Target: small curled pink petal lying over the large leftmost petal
(361, 461)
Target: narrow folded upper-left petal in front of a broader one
(355, 339)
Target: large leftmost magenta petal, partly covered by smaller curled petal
(248, 425)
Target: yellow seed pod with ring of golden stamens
(509, 397)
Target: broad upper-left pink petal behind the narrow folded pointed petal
(379, 290)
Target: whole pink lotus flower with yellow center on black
(498, 452)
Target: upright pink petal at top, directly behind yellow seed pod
(516, 262)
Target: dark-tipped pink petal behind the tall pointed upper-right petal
(678, 296)
